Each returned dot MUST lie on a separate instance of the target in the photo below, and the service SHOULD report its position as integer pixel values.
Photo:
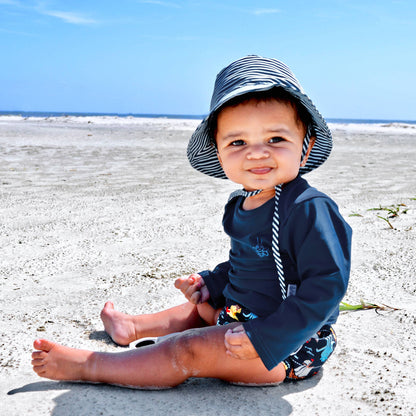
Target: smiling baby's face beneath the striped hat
(260, 143)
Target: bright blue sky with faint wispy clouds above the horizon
(355, 58)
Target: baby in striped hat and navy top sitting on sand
(266, 314)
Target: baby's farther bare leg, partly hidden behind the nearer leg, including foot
(124, 328)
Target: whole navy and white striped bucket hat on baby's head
(252, 74)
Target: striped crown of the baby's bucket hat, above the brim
(251, 73)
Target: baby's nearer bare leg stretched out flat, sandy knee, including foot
(194, 353)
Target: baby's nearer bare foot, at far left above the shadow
(57, 362)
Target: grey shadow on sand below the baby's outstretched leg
(194, 397)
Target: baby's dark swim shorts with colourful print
(307, 360)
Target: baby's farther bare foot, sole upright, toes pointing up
(118, 325)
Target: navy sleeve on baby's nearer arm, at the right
(319, 242)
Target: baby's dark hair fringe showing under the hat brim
(276, 93)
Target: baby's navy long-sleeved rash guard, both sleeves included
(315, 247)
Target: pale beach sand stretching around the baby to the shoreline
(99, 208)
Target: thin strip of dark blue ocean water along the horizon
(45, 114)
